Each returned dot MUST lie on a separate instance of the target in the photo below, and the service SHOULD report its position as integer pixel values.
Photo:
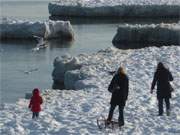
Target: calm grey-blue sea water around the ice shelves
(22, 70)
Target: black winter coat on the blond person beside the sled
(119, 87)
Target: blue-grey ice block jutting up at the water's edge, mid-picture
(62, 68)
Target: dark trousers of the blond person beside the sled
(121, 115)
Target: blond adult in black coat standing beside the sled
(119, 88)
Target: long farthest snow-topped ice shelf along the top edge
(116, 8)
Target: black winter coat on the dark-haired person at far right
(162, 78)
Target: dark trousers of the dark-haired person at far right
(160, 105)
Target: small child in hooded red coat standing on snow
(35, 103)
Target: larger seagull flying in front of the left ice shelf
(41, 43)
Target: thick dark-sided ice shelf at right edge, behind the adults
(156, 34)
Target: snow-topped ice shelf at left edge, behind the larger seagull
(21, 29)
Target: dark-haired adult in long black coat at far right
(162, 77)
